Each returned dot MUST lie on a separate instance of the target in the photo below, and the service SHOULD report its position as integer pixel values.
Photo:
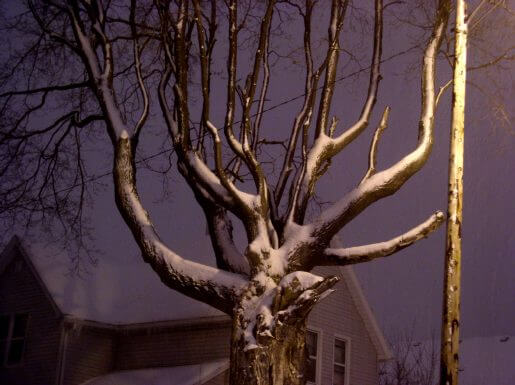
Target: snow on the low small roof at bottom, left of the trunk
(177, 375)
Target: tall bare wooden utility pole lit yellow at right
(452, 286)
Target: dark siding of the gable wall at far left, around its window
(20, 292)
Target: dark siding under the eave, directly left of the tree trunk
(179, 345)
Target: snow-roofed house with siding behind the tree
(116, 328)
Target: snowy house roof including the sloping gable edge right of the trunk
(131, 293)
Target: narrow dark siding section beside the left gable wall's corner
(89, 353)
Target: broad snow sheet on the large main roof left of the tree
(112, 293)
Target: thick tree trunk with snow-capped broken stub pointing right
(269, 329)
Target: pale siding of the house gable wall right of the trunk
(337, 315)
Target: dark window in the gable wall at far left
(13, 330)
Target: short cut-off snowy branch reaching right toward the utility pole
(358, 254)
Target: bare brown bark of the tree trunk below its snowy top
(277, 361)
